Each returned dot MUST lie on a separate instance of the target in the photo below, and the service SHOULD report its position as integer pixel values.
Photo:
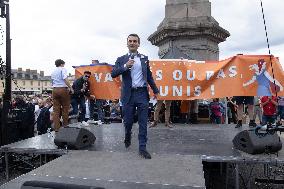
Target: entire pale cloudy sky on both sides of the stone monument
(79, 31)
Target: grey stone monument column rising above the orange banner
(188, 30)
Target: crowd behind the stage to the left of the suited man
(41, 107)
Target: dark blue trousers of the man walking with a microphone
(139, 100)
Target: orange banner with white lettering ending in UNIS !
(242, 75)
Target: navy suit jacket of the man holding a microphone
(119, 69)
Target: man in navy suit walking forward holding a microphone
(136, 76)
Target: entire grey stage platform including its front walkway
(177, 157)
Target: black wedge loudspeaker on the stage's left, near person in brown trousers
(74, 138)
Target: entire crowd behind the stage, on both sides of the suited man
(86, 110)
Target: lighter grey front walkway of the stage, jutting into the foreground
(127, 169)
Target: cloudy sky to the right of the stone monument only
(243, 19)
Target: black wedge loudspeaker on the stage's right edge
(247, 141)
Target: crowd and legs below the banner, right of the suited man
(259, 110)
